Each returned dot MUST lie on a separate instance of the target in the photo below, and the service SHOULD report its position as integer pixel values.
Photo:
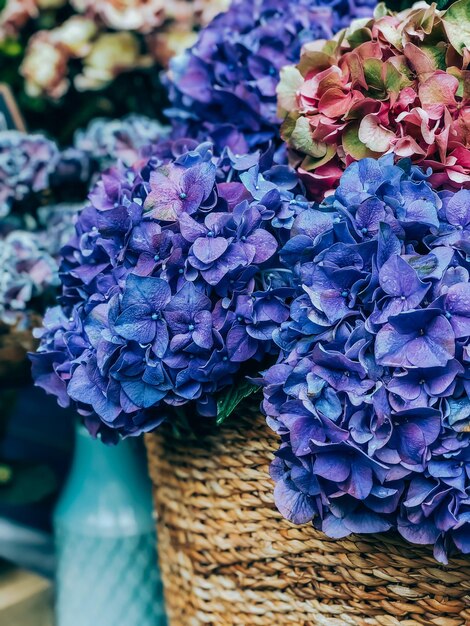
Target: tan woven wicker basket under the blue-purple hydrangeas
(229, 559)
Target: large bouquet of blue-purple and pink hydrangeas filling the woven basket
(198, 261)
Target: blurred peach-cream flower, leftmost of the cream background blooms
(44, 67)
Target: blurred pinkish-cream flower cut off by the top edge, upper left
(130, 15)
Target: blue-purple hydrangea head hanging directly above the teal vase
(170, 287)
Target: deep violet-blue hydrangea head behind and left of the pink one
(225, 86)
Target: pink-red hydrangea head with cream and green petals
(397, 83)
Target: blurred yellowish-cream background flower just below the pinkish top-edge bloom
(110, 55)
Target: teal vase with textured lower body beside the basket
(106, 561)
